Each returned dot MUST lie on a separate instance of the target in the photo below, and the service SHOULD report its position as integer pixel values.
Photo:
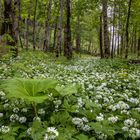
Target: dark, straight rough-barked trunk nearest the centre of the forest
(68, 47)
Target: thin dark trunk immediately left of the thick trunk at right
(101, 37)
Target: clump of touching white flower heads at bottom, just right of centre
(81, 123)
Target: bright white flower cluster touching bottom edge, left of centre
(51, 133)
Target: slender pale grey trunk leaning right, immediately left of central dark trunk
(59, 42)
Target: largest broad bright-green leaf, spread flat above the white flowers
(33, 90)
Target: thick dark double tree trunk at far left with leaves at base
(10, 24)
